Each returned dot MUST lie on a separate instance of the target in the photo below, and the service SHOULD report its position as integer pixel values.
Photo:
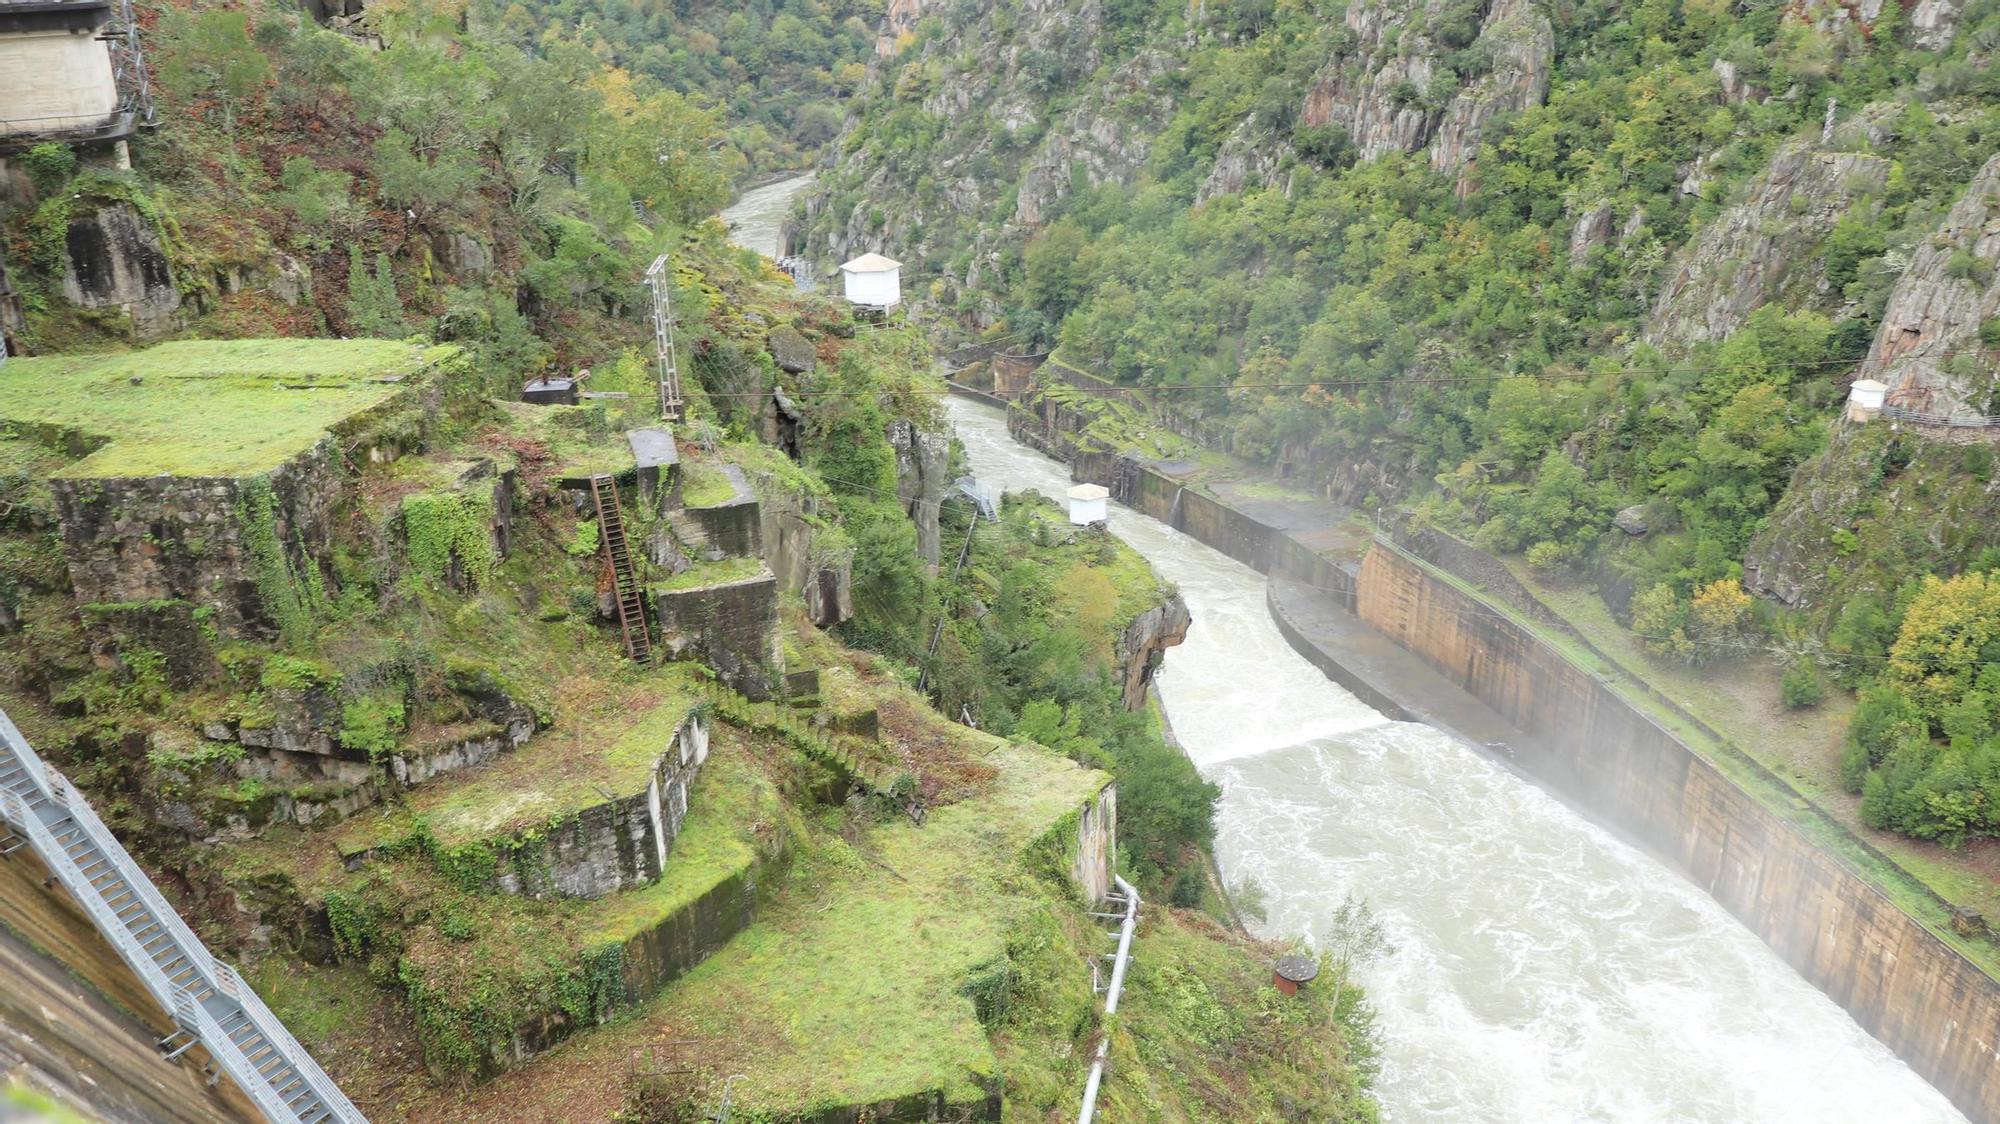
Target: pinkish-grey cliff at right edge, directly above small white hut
(1937, 309)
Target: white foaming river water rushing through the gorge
(1541, 969)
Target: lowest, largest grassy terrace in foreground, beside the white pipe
(851, 987)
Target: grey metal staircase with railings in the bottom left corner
(209, 1003)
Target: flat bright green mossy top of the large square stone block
(209, 407)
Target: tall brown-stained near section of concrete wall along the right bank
(1909, 989)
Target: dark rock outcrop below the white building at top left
(113, 259)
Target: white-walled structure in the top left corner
(57, 73)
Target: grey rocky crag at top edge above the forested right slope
(1381, 89)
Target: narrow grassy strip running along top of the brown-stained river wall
(1881, 861)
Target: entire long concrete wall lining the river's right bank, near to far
(1901, 983)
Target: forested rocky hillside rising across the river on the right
(1513, 269)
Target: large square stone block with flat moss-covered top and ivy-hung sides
(207, 473)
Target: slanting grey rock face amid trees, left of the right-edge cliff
(1765, 247)
